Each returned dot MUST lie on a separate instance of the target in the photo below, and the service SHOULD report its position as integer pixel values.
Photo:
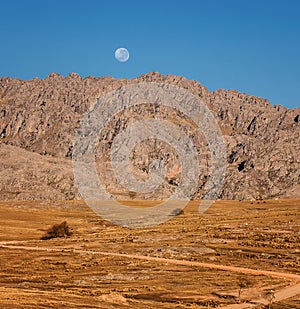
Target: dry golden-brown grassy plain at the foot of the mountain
(192, 261)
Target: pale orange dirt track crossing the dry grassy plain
(285, 293)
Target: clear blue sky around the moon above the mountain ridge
(251, 46)
